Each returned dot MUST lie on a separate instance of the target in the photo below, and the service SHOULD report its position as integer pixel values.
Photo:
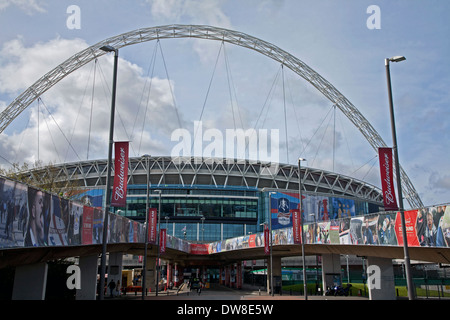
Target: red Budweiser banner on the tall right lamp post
(387, 181)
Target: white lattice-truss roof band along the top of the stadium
(215, 172)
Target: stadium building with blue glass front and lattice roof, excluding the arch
(214, 199)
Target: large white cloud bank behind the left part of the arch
(71, 103)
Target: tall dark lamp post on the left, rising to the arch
(108, 48)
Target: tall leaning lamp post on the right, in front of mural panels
(397, 170)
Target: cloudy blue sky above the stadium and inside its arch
(331, 36)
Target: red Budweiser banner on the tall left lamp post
(119, 193)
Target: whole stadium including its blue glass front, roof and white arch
(202, 199)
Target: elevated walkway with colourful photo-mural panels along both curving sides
(37, 227)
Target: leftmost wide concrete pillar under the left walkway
(30, 282)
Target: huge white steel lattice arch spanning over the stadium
(210, 33)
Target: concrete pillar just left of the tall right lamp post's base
(380, 279)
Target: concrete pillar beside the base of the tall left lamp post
(88, 278)
